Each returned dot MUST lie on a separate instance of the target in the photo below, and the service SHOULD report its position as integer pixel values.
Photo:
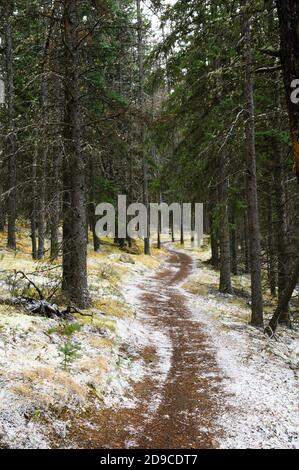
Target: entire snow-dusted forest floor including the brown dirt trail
(166, 362)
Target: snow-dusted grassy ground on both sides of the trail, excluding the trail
(259, 406)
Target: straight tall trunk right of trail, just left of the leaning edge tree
(252, 199)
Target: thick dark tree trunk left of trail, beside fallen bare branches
(74, 225)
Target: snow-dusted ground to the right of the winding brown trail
(261, 401)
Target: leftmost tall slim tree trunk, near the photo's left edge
(11, 138)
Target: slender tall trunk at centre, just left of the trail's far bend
(147, 248)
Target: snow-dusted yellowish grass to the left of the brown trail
(38, 396)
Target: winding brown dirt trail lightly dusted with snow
(179, 410)
